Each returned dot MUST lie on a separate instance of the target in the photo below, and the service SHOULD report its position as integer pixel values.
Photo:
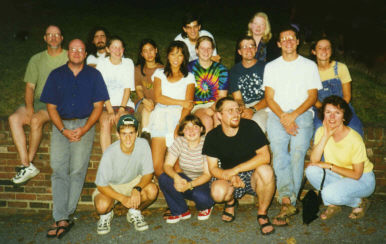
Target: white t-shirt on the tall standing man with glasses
(291, 81)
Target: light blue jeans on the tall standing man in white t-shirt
(289, 165)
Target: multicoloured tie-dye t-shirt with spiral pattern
(208, 81)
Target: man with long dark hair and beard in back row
(96, 45)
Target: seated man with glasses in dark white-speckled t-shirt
(246, 83)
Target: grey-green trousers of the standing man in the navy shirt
(69, 163)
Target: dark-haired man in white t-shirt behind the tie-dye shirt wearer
(191, 31)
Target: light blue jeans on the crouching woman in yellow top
(338, 190)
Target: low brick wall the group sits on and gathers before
(36, 195)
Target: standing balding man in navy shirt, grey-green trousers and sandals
(74, 94)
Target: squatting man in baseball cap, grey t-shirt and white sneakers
(125, 175)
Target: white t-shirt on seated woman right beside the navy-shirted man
(117, 78)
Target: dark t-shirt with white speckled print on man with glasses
(249, 81)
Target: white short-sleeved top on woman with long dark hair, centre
(176, 90)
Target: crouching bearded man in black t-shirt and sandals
(242, 149)
